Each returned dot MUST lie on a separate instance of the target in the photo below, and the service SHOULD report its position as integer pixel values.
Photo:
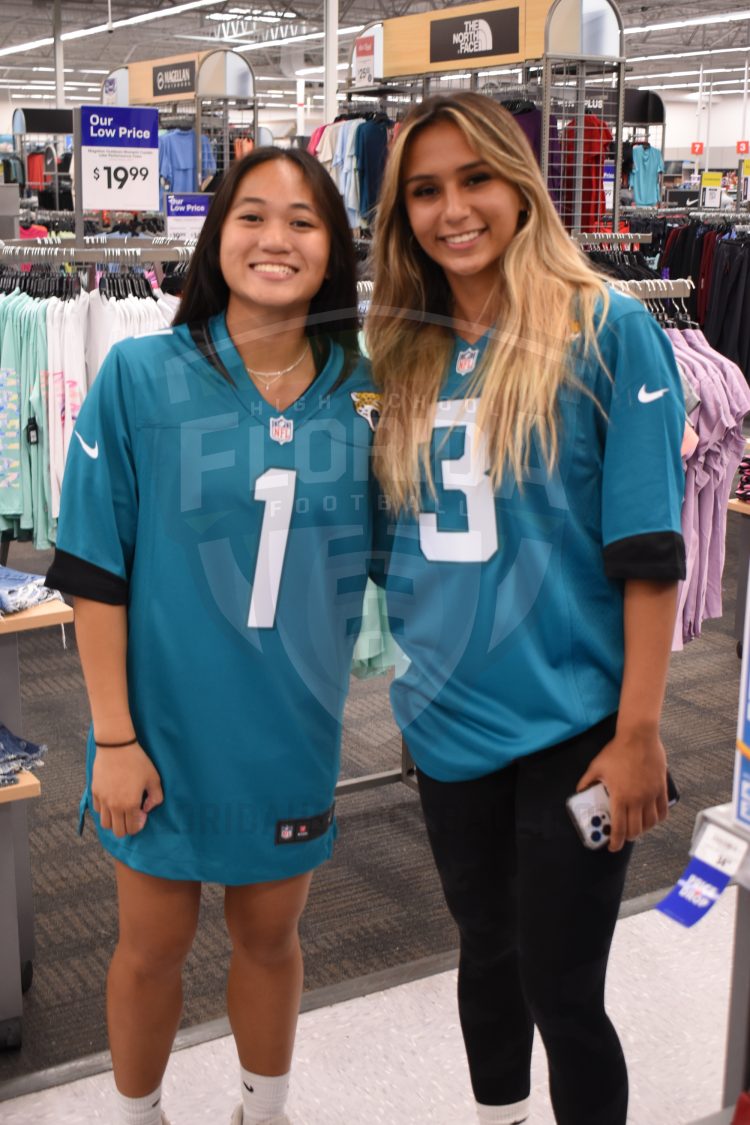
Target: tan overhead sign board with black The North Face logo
(474, 35)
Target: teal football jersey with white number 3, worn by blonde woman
(510, 605)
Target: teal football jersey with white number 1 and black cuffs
(239, 537)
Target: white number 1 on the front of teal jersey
(276, 489)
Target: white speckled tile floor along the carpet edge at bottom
(395, 1058)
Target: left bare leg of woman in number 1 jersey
(158, 920)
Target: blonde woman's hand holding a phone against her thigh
(634, 769)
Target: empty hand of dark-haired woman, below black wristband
(119, 782)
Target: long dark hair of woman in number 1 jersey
(333, 310)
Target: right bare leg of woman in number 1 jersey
(266, 973)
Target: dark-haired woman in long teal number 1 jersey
(215, 532)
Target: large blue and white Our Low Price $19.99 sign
(120, 158)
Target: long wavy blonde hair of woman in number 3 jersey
(547, 290)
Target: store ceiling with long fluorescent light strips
(88, 59)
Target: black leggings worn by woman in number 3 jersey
(536, 912)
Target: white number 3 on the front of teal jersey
(468, 475)
